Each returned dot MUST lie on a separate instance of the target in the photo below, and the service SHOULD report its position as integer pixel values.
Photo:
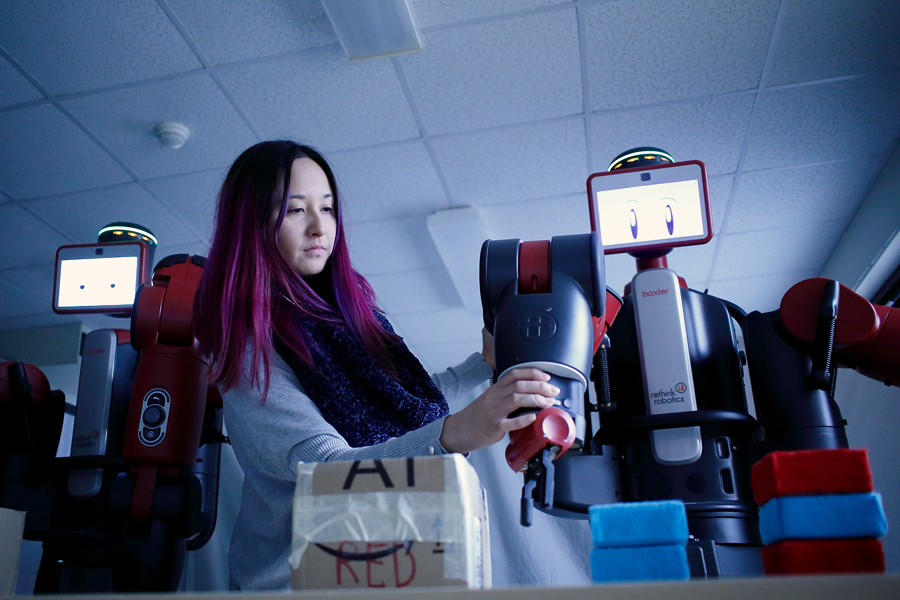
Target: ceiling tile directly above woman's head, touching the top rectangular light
(320, 97)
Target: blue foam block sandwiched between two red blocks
(831, 516)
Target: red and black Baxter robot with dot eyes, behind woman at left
(140, 485)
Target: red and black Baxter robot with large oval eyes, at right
(672, 418)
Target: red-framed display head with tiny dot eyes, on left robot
(99, 277)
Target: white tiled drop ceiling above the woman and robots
(512, 104)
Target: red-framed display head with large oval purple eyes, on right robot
(654, 207)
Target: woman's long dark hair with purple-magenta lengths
(248, 292)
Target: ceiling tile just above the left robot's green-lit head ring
(82, 215)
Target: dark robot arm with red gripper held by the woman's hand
(545, 303)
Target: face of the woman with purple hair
(306, 237)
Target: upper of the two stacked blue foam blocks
(638, 524)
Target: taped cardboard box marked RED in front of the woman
(408, 522)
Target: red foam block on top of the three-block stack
(811, 472)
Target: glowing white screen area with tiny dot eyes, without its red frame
(94, 282)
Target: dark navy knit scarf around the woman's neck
(356, 396)
